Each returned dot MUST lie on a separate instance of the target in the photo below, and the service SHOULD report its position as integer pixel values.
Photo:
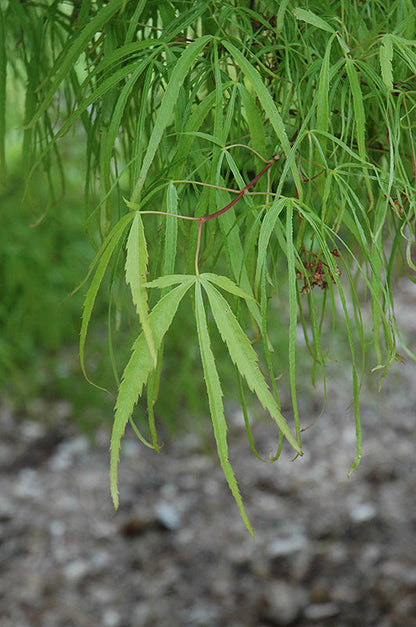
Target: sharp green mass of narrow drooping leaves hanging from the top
(304, 114)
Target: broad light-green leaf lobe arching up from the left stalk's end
(170, 97)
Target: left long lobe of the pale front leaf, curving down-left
(137, 372)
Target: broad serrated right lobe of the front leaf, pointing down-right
(245, 358)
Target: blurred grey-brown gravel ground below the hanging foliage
(328, 550)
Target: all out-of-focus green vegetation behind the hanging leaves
(45, 255)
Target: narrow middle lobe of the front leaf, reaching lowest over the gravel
(215, 401)
